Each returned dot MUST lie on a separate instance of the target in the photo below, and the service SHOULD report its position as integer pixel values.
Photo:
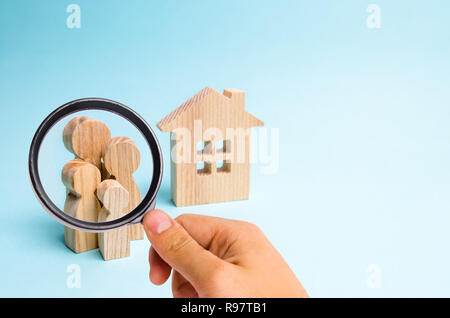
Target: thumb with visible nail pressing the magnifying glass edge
(178, 249)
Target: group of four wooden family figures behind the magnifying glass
(100, 186)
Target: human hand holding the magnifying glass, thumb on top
(215, 257)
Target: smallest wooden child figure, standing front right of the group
(115, 243)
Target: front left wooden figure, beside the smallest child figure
(81, 180)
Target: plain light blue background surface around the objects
(363, 115)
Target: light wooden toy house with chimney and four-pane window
(210, 147)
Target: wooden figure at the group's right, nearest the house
(121, 159)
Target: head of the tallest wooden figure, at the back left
(86, 138)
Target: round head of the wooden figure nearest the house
(121, 156)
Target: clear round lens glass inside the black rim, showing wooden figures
(95, 166)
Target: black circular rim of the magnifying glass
(106, 105)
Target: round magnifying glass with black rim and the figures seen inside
(95, 165)
